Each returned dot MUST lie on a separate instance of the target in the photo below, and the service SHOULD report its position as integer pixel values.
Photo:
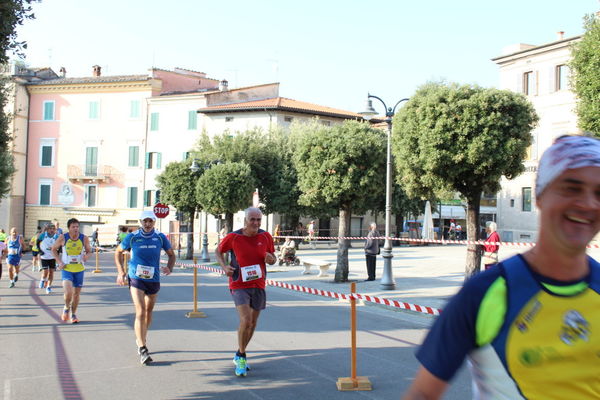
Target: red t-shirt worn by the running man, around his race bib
(246, 251)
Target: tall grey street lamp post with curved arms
(387, 279)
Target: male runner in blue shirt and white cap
(143, 273)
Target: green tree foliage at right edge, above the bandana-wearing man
(585, 64)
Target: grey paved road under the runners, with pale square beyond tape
(300, 348)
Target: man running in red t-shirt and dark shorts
(250, 248)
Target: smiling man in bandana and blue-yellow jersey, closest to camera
(530, 327)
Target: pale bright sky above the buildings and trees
(328, 52)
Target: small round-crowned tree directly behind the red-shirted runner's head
(225, 189)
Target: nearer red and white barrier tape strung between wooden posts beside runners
(326, 293)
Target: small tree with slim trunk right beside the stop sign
(177, 186)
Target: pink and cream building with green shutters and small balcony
(87, 145)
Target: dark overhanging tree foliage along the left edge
(12, 14)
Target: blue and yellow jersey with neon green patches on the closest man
(525, 336)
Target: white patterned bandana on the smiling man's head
(567, 152)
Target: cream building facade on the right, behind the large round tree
(542, 74)
